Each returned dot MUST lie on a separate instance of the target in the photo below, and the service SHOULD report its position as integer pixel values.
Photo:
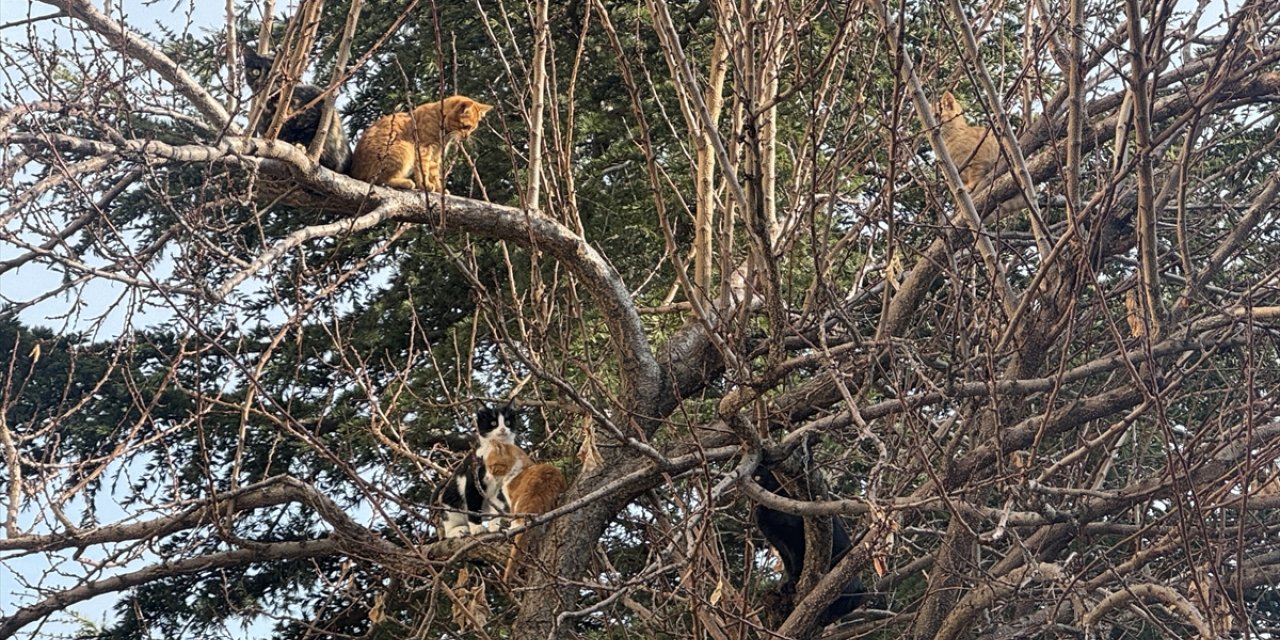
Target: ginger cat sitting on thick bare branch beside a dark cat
(406, 150)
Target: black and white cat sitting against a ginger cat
(476, 491)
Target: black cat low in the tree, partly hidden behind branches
(785, 533)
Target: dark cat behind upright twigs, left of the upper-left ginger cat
(300, 130)
